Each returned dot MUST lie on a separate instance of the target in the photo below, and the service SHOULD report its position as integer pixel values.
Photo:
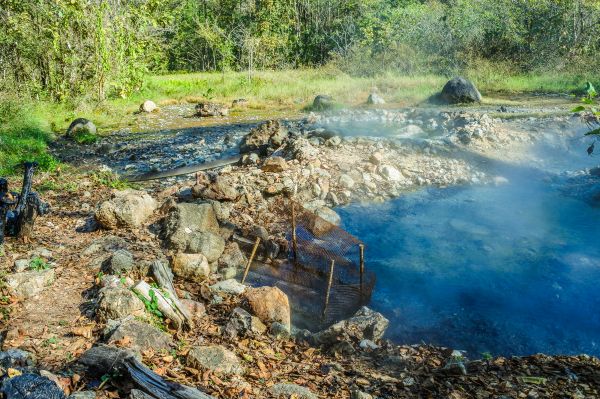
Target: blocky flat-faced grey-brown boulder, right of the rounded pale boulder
(185, 219)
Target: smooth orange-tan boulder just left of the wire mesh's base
(270, 304)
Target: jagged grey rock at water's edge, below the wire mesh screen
(365, 324)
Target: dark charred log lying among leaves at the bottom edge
(105, 360)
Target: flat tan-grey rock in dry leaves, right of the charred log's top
(215, 358)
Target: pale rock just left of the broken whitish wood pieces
(118, 303)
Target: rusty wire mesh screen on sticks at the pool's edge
(318, 247)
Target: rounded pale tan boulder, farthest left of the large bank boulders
(127, 208)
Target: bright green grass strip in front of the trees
(27, 127)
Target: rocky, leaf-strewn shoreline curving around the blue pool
(231, 340)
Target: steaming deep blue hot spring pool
(507, 270)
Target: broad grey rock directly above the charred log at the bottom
(140, 335)
